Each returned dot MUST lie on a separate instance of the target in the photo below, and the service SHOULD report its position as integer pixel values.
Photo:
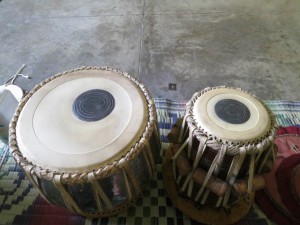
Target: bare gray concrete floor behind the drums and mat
(253, 44)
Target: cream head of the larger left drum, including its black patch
(82, 120)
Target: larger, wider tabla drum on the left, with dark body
(87, 139)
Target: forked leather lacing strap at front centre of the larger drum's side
(98, 192)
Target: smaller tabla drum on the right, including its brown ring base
(217, 153)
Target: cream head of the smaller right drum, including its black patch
(231, 115)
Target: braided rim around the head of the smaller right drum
(233, 146)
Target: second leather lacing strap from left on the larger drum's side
(69, 201)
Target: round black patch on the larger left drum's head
(93, 105)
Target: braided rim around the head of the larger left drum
(98, 172)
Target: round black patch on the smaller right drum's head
(232, 111)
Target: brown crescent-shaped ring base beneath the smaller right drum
(207, 214)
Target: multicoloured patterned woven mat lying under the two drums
(21, 204)
